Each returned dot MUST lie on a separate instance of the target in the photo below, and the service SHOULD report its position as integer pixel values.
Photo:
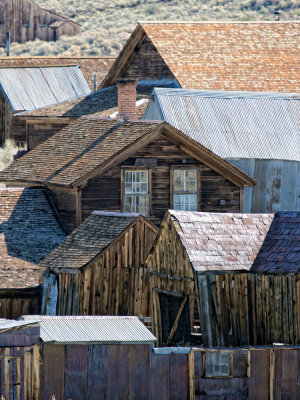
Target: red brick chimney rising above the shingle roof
(127, 98)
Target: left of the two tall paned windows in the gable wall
(136, 191)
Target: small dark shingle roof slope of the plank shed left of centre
(88, 240)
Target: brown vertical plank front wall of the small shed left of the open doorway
(116, 283)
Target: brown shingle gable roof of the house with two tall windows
(91, 145)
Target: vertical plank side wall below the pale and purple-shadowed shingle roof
(249, 308)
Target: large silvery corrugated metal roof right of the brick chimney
(234, 124)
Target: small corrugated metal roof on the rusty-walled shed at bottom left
(96, 329)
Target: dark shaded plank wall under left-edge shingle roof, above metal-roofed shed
(14, 303)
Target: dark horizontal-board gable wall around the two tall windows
(216, 193)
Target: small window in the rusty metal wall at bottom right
(218, 363)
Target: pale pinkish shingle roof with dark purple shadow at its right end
(252, 242)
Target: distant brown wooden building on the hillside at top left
(25, 21)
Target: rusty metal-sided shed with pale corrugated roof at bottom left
(94, 357)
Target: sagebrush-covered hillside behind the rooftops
(107, 24)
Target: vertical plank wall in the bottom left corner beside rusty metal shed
(20, 373)
